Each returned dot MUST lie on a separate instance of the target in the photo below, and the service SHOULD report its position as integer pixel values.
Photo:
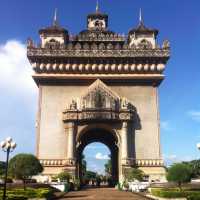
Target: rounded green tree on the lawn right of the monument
(179, 173)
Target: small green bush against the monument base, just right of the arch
(134, 174)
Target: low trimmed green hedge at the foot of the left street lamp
(20, 194)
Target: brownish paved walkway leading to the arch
(102, 194)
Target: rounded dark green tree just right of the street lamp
(24, 166)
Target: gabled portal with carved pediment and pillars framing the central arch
(97, 117)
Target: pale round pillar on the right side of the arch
(124, 146)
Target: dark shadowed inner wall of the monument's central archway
(106, 137)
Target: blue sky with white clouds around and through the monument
(177, 20)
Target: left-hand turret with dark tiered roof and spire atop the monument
(54, 36)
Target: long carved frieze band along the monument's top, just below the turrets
(59, 53)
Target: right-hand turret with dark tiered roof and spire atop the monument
(142, 37)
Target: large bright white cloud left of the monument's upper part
(15, 69)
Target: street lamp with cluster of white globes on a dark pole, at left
(7, 146)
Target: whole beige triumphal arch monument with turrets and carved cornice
(99, 86)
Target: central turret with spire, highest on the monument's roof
(97, 20)
